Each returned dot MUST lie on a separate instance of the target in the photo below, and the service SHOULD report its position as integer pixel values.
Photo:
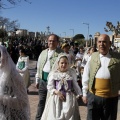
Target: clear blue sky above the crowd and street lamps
(63, 15)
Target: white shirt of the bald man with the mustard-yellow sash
(102, 73)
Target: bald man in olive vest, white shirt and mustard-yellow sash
(101, 82)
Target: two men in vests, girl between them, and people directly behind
(58, 73)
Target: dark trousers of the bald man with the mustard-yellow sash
(100, 108)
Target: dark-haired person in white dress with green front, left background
(22, 67)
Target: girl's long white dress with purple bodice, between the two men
(56, 109)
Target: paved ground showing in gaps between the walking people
(33, 96)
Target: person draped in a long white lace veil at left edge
(14, 104)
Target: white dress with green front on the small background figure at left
(25, 72)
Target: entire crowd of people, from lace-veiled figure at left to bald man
(65, 73)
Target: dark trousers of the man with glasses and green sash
(42, 99)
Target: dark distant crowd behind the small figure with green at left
(32, 48)
